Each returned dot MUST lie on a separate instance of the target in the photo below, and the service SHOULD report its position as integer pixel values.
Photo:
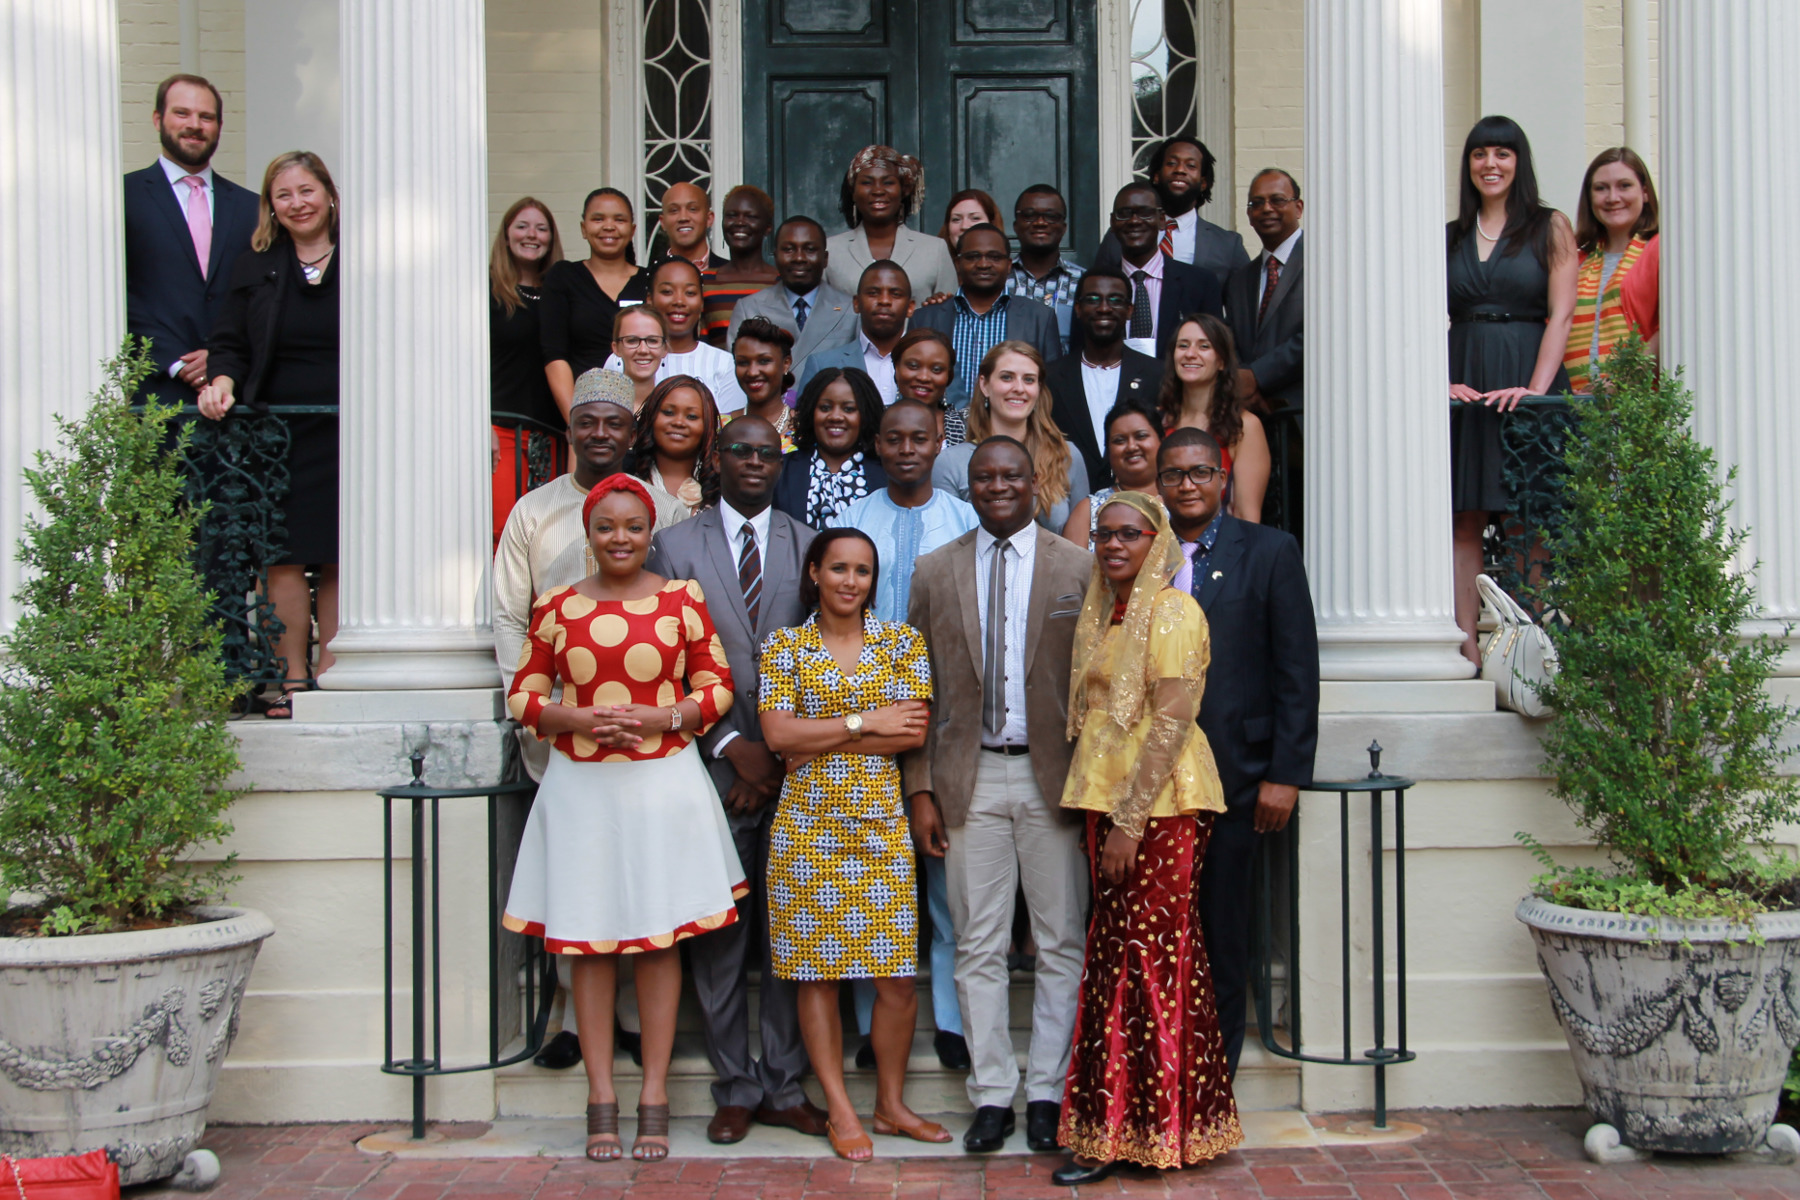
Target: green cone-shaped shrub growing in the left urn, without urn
(114, 748)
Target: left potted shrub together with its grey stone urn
(120, 992)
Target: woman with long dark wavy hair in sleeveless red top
(1200, 391)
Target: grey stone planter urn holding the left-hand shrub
(116, 1041)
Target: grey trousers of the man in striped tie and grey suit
(719, 965)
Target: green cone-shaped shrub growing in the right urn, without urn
(1664, 740)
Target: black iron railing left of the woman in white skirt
(508, 954)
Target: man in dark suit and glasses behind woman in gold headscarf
(1261, 712)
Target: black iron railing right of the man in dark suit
(1376, 789)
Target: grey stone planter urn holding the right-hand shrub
(1680, 1030)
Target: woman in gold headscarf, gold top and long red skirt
(1147, 1079)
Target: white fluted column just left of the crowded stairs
(415, 526)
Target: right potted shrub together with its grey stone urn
(1675, 971)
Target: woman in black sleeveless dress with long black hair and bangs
(1511, 283)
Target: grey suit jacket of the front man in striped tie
(699, 550)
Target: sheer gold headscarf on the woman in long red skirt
(1160, 566)
